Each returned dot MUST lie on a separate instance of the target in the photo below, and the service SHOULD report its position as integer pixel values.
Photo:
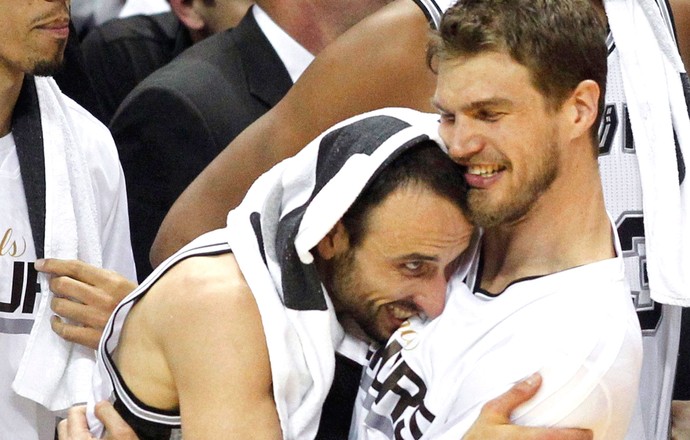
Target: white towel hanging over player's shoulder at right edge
(655, 85)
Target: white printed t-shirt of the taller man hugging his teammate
(577, 327)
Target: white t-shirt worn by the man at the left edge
(21, 418)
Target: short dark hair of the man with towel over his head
(424, 164)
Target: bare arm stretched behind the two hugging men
(380, 62)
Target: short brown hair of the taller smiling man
(561, 42)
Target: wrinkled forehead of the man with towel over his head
(415, 219)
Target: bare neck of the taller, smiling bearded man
(567, 227)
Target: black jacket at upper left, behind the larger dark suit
(121, 52)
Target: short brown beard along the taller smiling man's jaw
(480, 211)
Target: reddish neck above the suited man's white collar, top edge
(316, 23)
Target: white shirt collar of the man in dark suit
(295, 57)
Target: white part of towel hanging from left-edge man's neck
(54, 372)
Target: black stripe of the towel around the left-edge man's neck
(28, 136)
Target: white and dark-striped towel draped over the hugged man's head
(285, 214)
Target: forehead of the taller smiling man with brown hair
(489, 76)
